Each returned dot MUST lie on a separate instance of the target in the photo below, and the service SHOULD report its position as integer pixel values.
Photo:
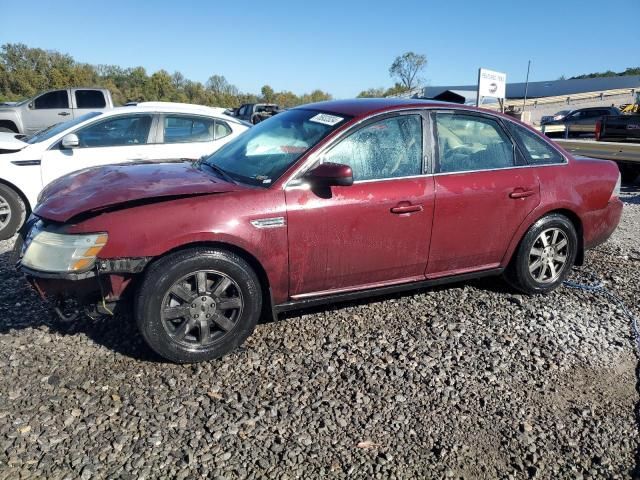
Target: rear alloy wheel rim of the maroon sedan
(548, 255)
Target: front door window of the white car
(117, 131)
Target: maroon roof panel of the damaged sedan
(360, 107)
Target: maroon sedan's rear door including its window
(482, 193)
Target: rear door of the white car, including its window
(188, 136)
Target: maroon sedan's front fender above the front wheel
(160, 228)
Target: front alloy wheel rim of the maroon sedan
(201, 308)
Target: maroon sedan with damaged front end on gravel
(325, 202)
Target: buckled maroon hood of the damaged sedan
(100, 188)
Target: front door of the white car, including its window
(116, 139)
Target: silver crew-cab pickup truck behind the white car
(52, 107)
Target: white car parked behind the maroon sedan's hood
(150, 131)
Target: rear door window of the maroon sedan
(471, 143)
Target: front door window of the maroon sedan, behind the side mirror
(390, 148)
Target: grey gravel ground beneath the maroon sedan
(468, 381)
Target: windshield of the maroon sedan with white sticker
(263, 153)
